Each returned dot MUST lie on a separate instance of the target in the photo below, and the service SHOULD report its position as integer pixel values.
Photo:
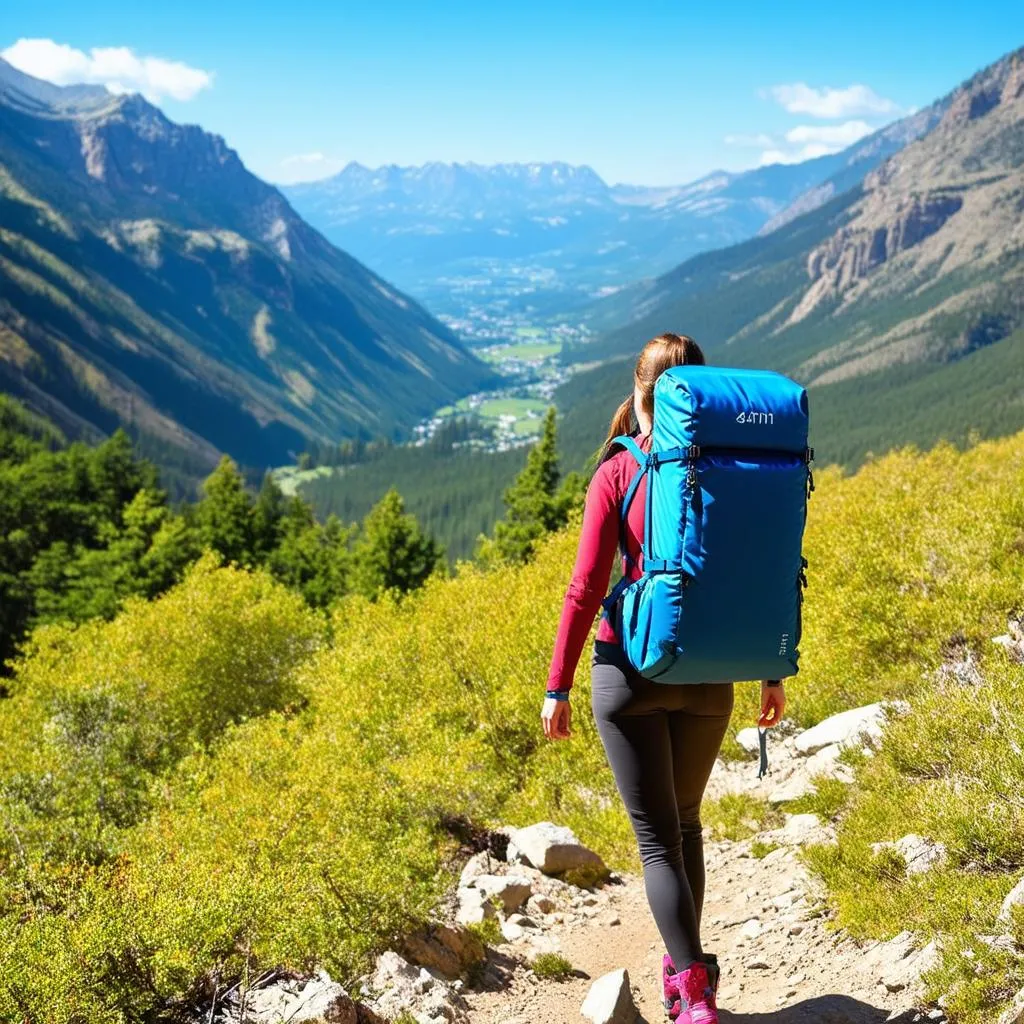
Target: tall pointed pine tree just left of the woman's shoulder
(536, 505)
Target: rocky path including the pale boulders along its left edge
(782, 963)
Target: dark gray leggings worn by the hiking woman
(662, 742)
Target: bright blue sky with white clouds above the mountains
(653, 94)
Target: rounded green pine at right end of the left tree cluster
(393, 552)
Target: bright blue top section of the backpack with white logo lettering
(723, 408)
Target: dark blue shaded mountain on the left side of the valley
(149, 280)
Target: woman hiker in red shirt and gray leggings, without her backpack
(661, 740)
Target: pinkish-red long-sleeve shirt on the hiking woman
(595, 558)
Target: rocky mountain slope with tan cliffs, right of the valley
(900, 303)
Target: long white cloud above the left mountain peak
(118, 68)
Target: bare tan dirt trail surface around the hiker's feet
(787, 969)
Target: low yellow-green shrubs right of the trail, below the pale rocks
(952, 771)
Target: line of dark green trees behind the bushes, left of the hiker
(82, 529)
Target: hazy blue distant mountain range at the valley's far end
(560, 232)
